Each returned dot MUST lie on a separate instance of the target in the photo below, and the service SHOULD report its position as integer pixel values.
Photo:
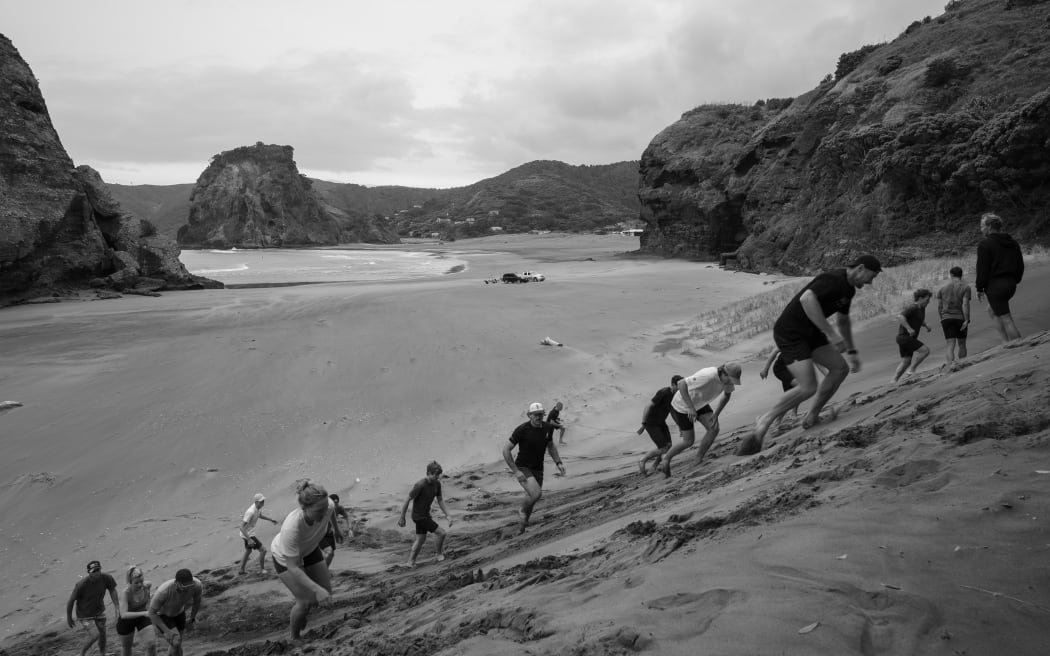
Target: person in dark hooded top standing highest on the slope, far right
(1001, 267)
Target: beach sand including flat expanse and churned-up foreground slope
(915, 523)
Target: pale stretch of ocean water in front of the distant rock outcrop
(302, 266)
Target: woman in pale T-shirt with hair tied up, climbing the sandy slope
(298, 557)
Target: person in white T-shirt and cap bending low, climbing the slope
(691, 404)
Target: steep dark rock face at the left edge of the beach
(59, 227)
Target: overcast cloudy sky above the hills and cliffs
(424, 94)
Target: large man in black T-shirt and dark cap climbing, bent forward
(806, 337)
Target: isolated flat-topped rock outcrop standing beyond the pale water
(255, 197)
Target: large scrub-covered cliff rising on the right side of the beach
(897, 156)
